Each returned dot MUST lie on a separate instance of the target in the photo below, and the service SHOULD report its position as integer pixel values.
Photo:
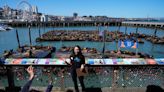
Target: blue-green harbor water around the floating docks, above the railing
(8, 39)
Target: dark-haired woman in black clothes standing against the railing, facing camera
(77, 62)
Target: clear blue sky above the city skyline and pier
(110, 8)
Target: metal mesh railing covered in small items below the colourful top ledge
(98, 76)
